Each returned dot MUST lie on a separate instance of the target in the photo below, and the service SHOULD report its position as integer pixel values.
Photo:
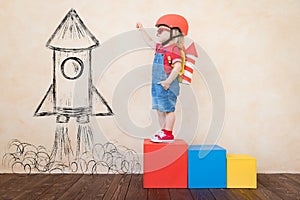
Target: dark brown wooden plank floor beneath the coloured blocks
(78, 186)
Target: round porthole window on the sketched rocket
(72, 68)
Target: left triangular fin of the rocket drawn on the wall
(46, 107)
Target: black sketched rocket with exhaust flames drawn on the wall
(72, 93)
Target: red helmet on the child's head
(174, 21)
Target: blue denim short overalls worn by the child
(162, 100)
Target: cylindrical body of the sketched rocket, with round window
(72, 82)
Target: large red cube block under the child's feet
(165, 164)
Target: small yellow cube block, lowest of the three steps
(241, 171)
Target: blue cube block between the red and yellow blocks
(206, 166)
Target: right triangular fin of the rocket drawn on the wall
(99, 105)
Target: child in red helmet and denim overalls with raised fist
(166, 67)
